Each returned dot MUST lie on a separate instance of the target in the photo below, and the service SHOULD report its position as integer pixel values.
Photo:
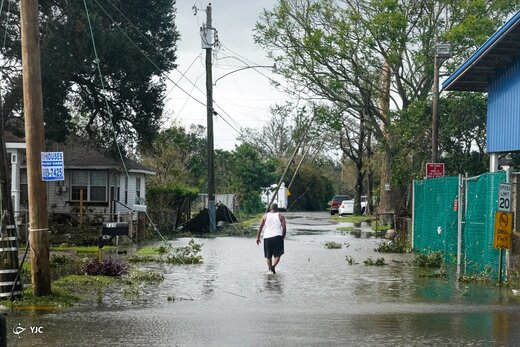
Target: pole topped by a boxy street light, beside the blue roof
(442, 52)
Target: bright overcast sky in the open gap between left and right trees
(245, 95)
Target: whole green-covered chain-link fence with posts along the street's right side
(455, 215)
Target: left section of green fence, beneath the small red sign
(435, 221)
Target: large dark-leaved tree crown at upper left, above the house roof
(128, 36)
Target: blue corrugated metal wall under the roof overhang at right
(503, 116)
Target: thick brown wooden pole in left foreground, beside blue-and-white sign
(35, 140)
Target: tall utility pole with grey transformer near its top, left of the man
(207, 44)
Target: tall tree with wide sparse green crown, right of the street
(374, 56)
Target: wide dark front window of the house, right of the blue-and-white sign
(93, 184)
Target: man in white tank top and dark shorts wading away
(274, 234)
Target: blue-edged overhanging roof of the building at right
(498, 52)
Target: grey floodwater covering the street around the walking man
(315, 299)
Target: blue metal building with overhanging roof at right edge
(495, 68)
